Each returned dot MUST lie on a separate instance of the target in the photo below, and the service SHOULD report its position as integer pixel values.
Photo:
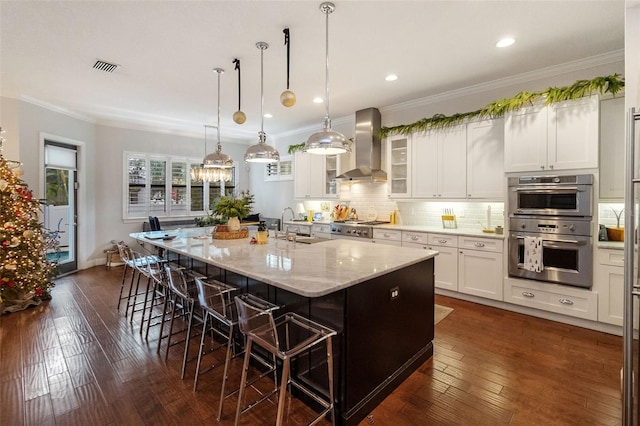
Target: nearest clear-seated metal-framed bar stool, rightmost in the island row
(261, 328)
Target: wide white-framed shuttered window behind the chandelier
(162, 186)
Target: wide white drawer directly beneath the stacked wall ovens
(574, 303)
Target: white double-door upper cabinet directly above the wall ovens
(562, 136)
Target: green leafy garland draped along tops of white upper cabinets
(496, 109)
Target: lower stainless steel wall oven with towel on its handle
(566, 249)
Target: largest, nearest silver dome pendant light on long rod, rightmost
(327, 141)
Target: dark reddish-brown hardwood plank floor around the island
(77, 361)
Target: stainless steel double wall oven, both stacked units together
(554, 212)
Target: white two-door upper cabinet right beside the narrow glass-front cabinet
(439, 163)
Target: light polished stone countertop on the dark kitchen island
(310, 270)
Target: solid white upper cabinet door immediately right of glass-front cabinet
(424, 177)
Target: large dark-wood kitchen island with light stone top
(378, 298)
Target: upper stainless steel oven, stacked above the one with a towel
(551, 195)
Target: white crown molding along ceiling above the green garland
(581, 64)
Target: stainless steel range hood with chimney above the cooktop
(368, 148)
